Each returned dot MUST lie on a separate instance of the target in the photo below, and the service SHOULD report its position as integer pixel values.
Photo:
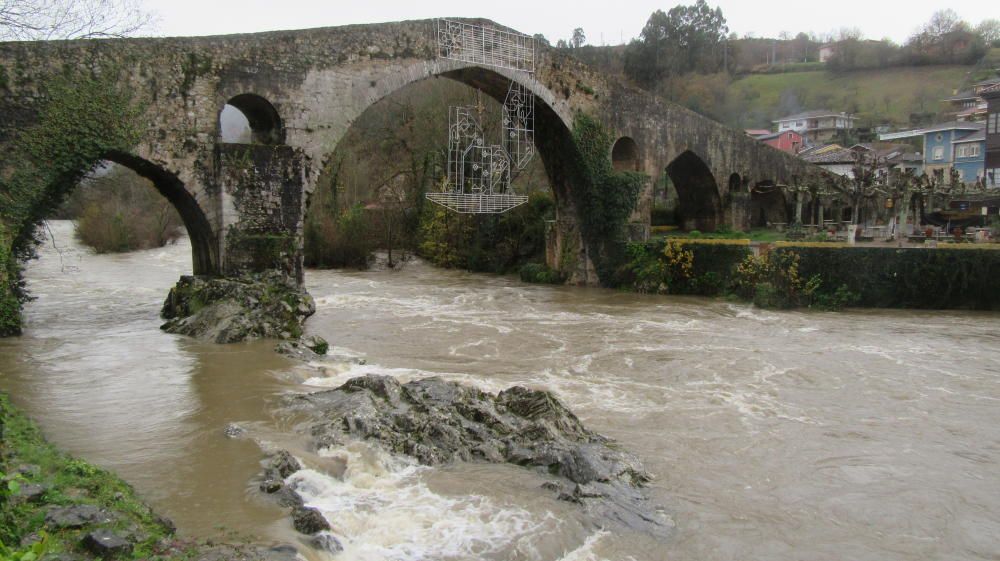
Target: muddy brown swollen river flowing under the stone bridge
(863, 435)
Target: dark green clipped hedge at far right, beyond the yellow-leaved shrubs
(909, 277)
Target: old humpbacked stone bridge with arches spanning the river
(244, 204)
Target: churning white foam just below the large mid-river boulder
(382, 510)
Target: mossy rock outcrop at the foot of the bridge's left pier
(229, 310)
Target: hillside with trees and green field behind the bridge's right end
(689, 56)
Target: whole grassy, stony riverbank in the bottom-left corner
(62, 507)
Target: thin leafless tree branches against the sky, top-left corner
(25, 20)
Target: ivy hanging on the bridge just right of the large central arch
(604, 198)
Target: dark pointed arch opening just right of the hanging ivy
(698, 203)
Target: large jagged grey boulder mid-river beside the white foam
(436, 421)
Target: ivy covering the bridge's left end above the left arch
(85, 116)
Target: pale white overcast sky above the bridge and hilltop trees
(604, 22)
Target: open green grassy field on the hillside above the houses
(888, 95)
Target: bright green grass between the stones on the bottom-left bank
(70, 481)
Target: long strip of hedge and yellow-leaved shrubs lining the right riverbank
(817, 274)
